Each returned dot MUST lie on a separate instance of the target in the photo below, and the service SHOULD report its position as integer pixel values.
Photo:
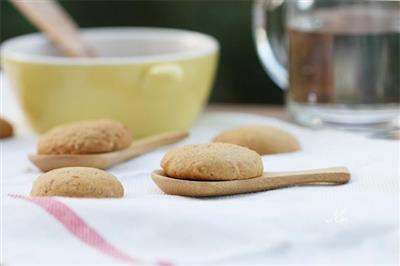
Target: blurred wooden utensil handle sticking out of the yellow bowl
(50, 17)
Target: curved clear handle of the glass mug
(269, 36)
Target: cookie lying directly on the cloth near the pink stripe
(80, 182)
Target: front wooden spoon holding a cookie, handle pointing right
(174, 186)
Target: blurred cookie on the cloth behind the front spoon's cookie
(262, 139)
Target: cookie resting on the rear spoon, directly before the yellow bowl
(85, 137)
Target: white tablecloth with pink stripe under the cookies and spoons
(357, 223)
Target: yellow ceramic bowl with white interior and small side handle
(151, 79)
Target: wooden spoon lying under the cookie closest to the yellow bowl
(105, 160)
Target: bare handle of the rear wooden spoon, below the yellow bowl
(151, 143)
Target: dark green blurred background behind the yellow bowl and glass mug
(240, 79)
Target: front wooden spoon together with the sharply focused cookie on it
(219, 169)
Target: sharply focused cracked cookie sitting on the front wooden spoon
(213, 161)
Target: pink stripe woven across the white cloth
(79, 228)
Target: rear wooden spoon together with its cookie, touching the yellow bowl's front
(98, 143)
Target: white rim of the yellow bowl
(211, 46)
